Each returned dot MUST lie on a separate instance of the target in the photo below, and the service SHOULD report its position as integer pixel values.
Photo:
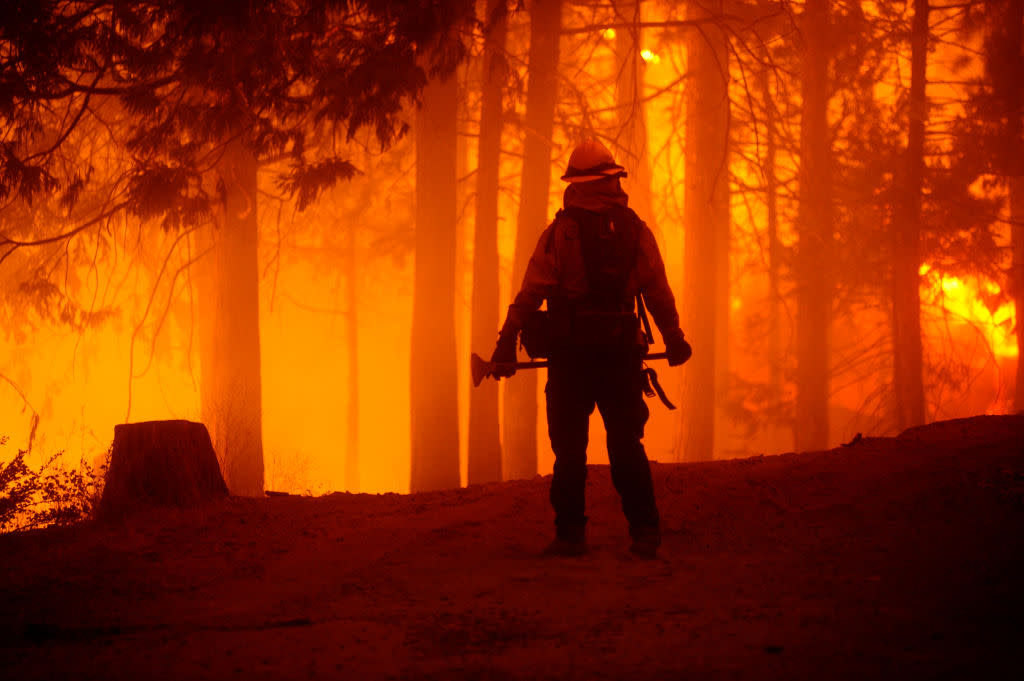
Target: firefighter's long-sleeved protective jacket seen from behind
(559, 269)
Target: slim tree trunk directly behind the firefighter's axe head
(485, 463)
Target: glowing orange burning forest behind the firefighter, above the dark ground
(294, 221)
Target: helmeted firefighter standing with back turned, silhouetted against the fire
(596, 266)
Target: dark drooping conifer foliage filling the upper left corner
(284, 76)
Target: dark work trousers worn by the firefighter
(613, 381)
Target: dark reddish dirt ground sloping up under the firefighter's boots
(898, 559)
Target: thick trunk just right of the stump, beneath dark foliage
(231, 393)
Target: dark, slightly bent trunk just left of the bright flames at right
(909, 381)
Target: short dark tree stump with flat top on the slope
(160, 463)
